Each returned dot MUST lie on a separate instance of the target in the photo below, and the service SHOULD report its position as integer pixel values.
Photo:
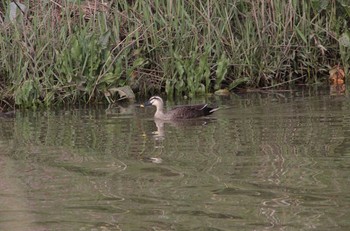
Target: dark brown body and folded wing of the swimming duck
(191, 111)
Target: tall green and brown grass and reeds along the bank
(77, 51)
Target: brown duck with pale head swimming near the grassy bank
(179, 112)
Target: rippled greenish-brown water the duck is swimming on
(274, 162)
